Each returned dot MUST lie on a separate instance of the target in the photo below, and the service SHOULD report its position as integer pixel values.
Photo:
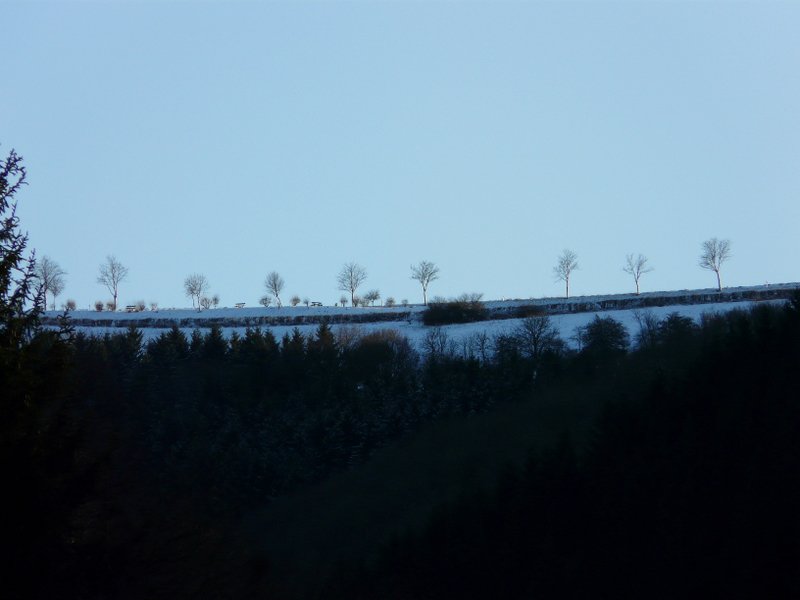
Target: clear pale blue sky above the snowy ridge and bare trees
(233, 139)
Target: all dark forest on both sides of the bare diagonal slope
(130, 460)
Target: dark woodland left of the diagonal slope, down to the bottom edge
(129, 458)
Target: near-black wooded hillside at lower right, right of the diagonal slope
(687, 488)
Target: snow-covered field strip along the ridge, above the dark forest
(408, 320)
